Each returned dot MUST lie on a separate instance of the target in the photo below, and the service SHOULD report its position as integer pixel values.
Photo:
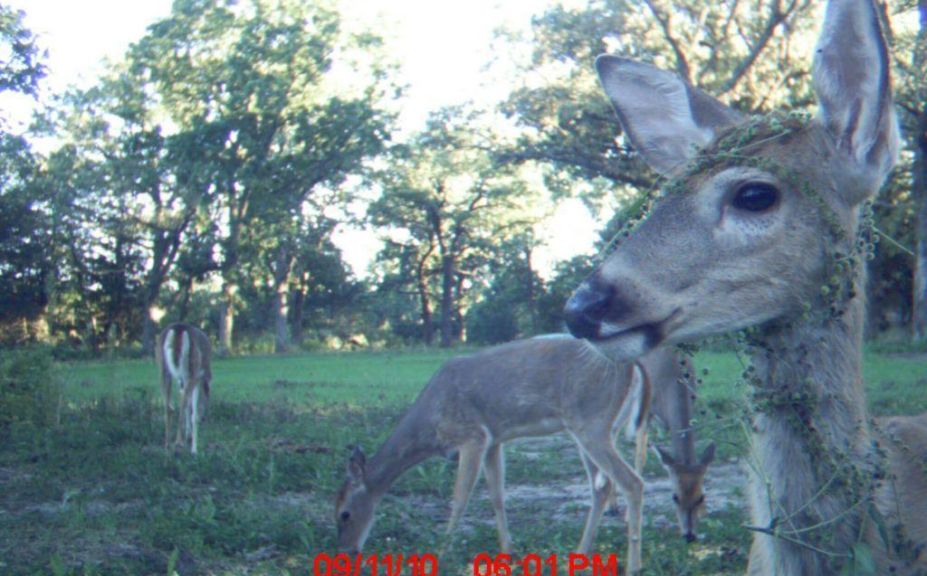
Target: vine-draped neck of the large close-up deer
(811, 437)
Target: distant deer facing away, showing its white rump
(183, 353)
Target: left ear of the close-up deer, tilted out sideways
(665, 118)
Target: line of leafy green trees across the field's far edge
(204, 177)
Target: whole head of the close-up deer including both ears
(755, 211)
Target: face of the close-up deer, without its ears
(734, 247)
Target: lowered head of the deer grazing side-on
(354, 507)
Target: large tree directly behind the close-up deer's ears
(743, 51)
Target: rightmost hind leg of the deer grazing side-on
(603, 454)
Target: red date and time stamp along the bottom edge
(342, 564)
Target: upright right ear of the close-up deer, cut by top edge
(851, 79)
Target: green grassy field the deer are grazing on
(97, 494)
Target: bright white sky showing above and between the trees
(443, 48)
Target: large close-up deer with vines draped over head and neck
(759, 228)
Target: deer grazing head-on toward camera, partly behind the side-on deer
(673, 378)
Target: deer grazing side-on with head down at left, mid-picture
(475, 403)
